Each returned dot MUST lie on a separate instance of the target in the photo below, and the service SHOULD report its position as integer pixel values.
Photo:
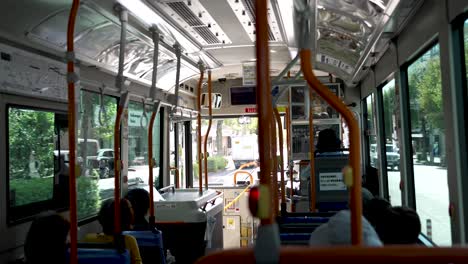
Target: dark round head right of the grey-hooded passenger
(400, 225)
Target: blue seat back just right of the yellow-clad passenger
(150, 243)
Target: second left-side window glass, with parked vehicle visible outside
(95, 151)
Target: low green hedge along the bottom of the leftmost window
(32, 190)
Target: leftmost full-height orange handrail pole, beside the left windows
(71, 128)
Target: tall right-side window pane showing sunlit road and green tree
(428, 144)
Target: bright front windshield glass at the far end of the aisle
(232, 142)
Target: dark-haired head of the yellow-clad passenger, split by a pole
(106, 216)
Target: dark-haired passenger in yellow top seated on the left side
(106, 219)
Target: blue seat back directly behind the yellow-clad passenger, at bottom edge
(102, 256)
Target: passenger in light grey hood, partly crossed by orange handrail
(337, 231)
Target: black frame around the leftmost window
(20, 214)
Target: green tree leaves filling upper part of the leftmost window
(29, 131)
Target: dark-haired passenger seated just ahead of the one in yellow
(140, 200)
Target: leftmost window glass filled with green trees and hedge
(31, 145)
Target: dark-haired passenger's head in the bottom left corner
(46, 241)
